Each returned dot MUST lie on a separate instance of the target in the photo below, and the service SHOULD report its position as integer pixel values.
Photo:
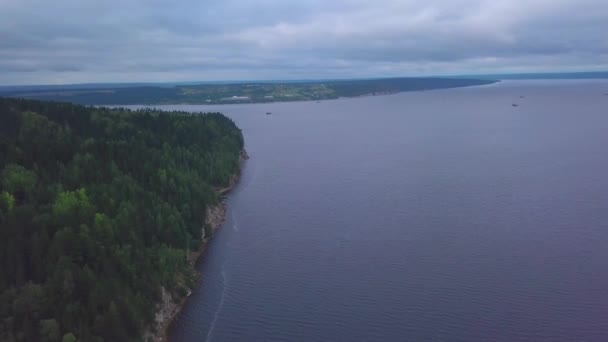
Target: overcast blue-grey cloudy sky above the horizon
(93, 41)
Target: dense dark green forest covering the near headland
(101, 211)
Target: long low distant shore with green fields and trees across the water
(235, 92)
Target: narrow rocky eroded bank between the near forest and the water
(168, 308)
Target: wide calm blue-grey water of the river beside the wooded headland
(430, 216)
